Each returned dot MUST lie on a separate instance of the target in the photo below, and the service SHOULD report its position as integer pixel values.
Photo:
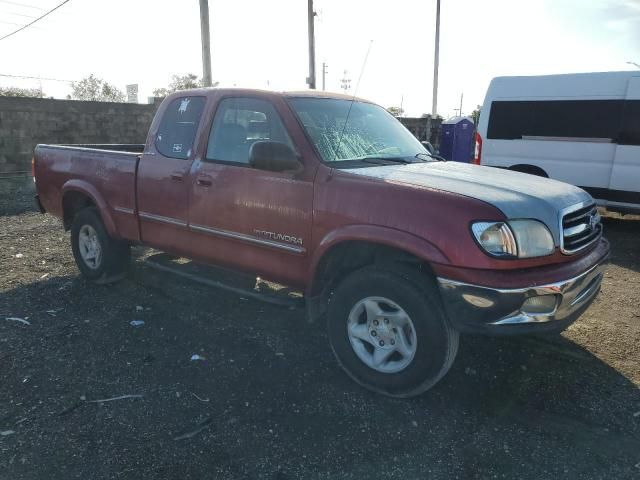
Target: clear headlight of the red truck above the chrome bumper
(517, 238)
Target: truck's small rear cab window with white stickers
(178, 127)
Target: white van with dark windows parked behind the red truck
(580, 128)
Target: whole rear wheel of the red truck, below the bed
(89, 239)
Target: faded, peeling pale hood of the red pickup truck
(517, 195)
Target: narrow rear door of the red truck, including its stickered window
(163, 176)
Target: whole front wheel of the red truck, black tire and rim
(423, 349)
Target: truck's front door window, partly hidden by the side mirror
(238, 124)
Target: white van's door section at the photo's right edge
(624, 187)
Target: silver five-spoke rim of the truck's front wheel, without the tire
(382, 334)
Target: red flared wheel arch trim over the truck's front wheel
(390, 237)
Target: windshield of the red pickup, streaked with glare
(370, 131)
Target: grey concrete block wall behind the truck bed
(25, 122)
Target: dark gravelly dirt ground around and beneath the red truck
(270, 402)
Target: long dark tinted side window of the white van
(596, 119)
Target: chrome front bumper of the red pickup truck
(498, 311)
